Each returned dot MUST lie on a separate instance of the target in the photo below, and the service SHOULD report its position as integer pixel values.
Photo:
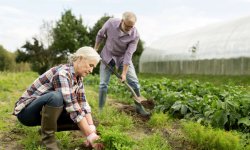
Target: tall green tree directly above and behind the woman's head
(69, 34)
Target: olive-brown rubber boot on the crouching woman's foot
(50, 116)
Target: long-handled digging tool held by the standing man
(137, 99)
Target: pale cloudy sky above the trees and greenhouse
(20, 20)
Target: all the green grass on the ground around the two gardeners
(119, 130)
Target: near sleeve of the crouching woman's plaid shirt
(63, 84)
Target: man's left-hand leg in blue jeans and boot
(104, 81)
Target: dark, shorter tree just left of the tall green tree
(35, 54)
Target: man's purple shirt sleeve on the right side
(130, 50)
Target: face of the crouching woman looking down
(83, 66)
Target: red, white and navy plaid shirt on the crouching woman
(61, 78)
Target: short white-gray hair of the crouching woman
(85, 52)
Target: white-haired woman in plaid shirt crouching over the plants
(58, 96)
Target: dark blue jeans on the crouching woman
(30, 115)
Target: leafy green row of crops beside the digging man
(225, 106)
